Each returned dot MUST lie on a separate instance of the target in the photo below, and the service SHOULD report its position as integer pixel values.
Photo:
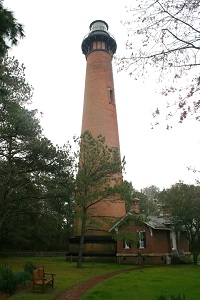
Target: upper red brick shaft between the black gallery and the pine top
(99, 115)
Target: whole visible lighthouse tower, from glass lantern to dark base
(100, 117)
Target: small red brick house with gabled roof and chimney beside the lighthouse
(157, 243)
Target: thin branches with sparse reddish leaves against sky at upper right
(164, 35)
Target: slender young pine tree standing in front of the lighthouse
(98, 179)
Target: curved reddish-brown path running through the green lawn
(76, 292)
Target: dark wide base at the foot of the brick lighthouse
(96, 248)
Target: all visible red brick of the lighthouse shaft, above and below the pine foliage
(100, 117)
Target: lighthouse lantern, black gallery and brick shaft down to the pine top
(99, 110)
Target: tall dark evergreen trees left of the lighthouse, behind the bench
(36, 178)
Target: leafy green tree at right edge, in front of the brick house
(182, 203)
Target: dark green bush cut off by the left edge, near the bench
(8, 283)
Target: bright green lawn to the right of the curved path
(149, 283)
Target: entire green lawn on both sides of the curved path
(145, 284)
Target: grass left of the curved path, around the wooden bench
(67, 275)
